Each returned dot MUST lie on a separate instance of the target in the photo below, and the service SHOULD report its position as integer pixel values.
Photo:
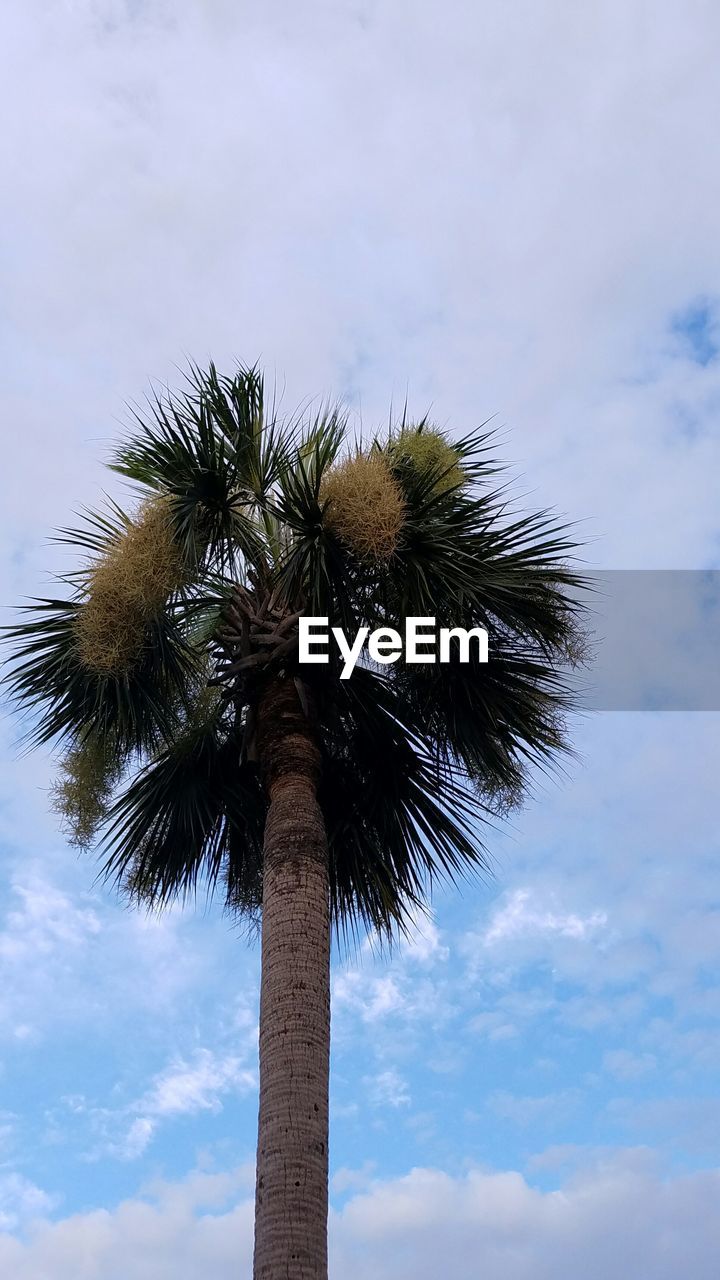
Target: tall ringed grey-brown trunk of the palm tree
(291, 1196)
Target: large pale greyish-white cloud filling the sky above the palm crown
(364, 223)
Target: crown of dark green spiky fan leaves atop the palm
(245, 491)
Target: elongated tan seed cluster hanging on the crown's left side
(127, 588)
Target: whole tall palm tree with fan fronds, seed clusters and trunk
(198, 749)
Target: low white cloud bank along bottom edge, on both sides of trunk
(604, 1219)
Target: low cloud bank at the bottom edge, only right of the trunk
(496, 1227)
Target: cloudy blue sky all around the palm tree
(502, 212)
